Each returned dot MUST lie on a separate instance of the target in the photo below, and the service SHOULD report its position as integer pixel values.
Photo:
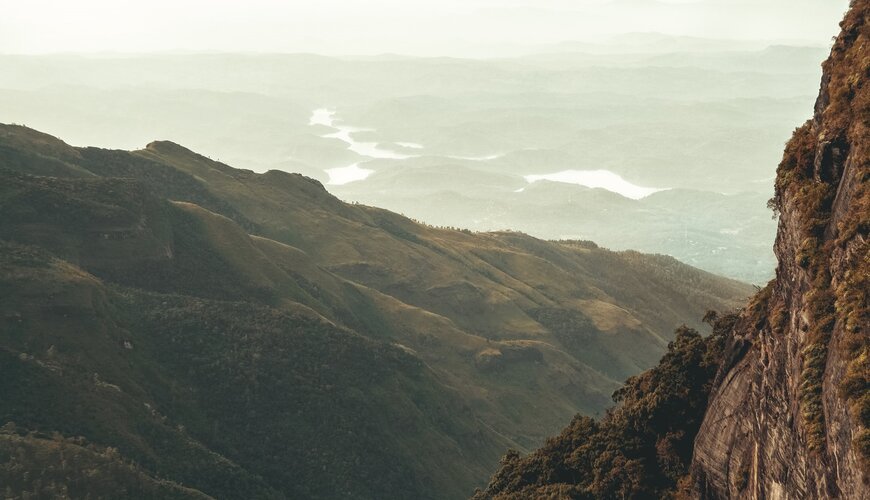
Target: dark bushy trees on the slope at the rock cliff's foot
(640, 449)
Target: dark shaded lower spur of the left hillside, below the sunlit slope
(233, 399)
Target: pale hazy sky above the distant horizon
(431, 27)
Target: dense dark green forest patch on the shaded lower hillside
(330, 413)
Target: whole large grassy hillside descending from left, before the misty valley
(246, 335)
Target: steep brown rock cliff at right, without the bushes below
(788, 416)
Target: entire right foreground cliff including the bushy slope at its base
(812, 320)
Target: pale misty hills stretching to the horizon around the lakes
(702, 124)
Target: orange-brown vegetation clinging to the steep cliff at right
(822, 186)
